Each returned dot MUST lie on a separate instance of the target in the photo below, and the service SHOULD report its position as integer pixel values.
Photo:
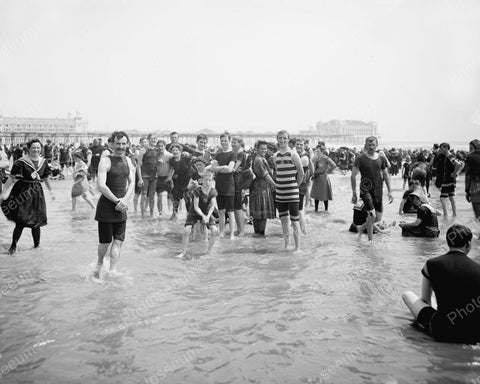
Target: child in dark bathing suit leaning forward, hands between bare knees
(204, 203)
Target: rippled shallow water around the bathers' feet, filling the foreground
(250, 312)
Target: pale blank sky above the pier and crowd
(260, 65)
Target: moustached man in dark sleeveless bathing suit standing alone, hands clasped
(116, 182)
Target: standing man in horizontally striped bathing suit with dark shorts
(288, 176)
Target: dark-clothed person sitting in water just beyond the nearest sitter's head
(426, 224)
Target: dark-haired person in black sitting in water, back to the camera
(455, 280)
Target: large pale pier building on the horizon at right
(348, 131)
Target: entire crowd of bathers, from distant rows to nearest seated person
(230, 183)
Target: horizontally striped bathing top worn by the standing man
(286, 180)
